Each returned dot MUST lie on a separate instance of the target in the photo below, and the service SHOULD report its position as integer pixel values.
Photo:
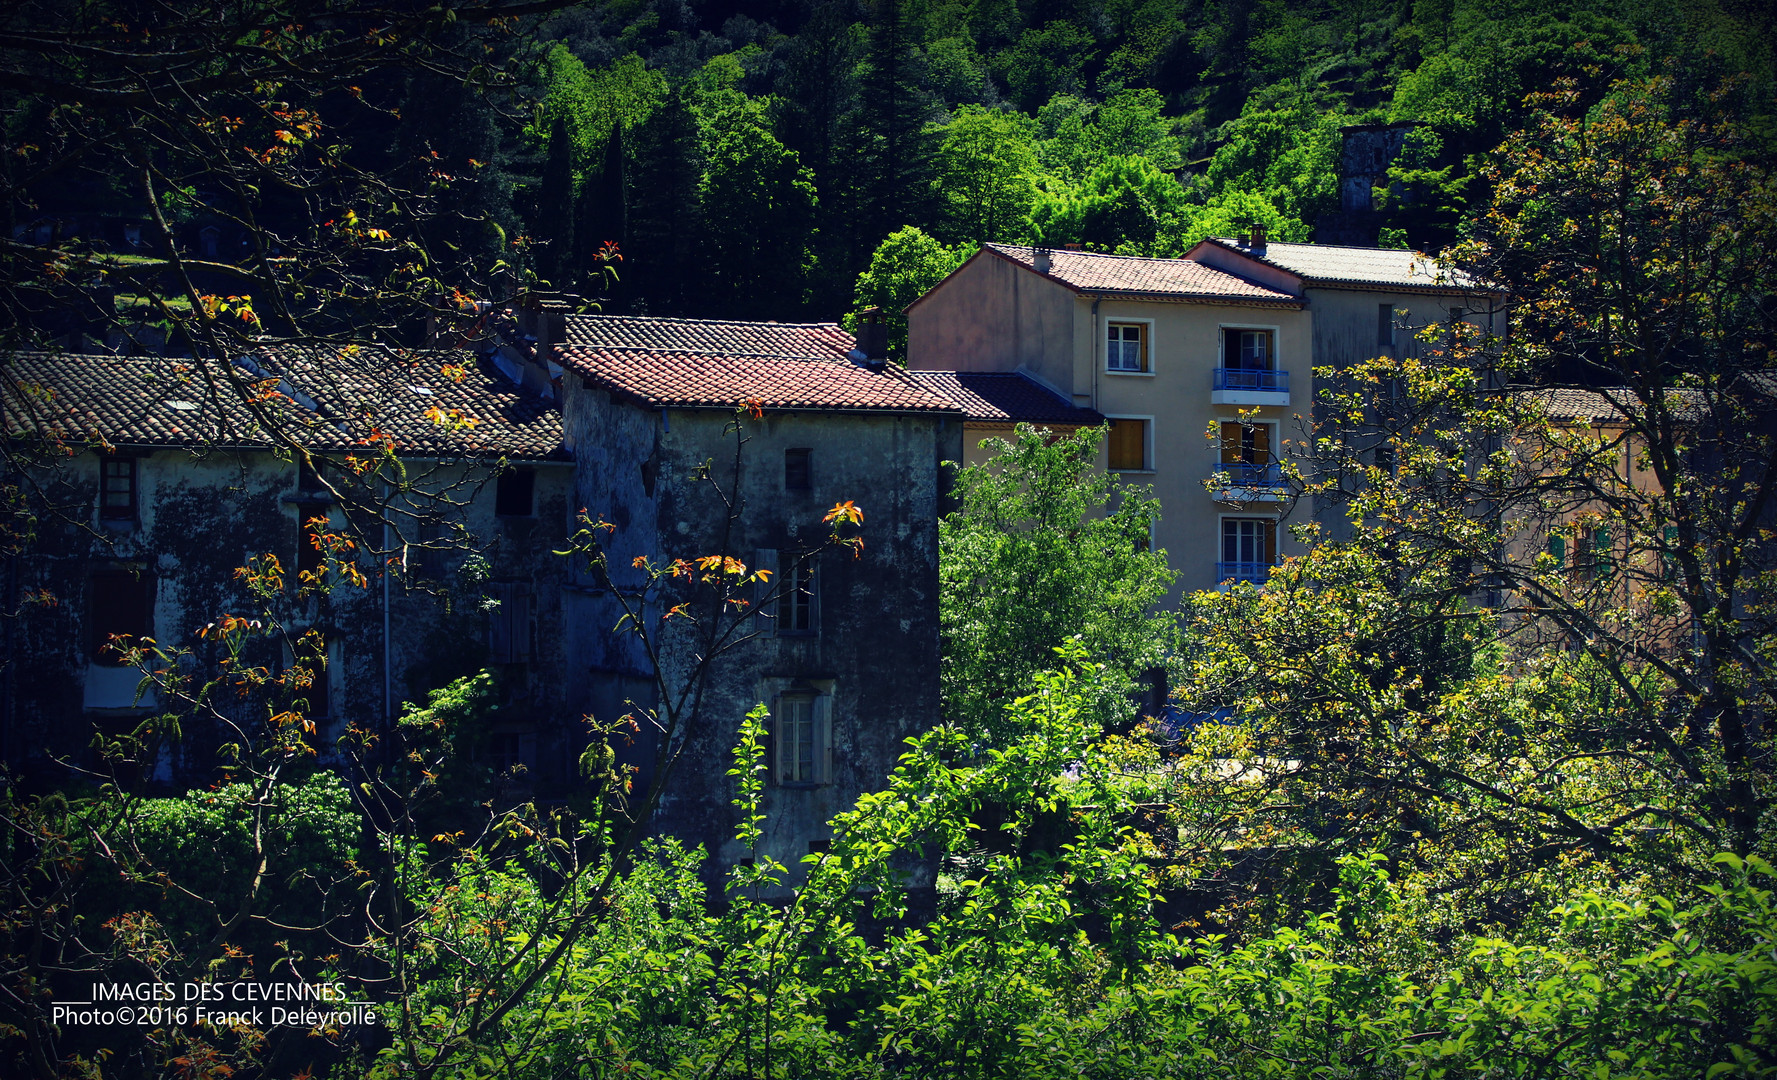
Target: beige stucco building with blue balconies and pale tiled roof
(1202, 367)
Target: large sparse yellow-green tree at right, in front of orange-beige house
(1536, 655)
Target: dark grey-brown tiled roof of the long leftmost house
(323, 399)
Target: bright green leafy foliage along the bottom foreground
(1044, 957)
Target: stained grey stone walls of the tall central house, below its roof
(875, 653)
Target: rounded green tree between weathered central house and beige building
(1046, 550)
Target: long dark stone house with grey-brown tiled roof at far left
(152, 484)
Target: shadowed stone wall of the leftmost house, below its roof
(200, 518)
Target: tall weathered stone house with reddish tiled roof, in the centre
(847, 655)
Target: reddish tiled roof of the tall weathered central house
(685, 363)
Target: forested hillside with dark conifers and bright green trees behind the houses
(749, 159)
